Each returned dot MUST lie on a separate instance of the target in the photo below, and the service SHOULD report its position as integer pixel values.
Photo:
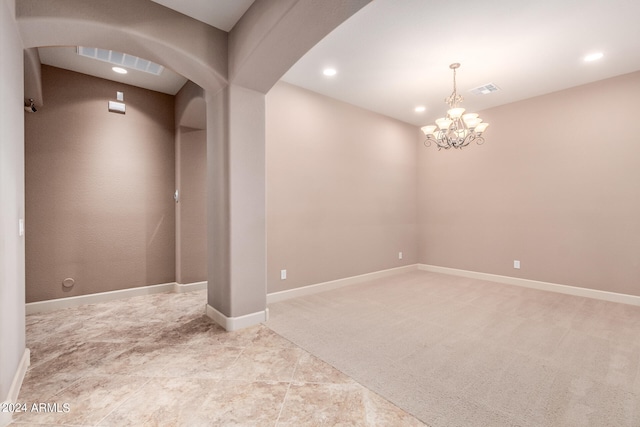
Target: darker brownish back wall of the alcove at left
(99, 188)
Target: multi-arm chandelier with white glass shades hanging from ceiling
(457, 129)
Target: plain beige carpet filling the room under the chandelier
(461, 352)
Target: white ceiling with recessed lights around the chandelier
(394, 55)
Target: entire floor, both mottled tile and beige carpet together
(447, 350)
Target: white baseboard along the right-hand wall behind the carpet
(534, 284)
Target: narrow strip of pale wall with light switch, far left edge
(12, 245)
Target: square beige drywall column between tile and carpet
(236, 224)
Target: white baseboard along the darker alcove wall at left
(58, 304)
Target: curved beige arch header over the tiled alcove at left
(145, 29)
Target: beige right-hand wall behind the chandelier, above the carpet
(555, 186)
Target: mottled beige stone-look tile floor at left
(158, 361)
